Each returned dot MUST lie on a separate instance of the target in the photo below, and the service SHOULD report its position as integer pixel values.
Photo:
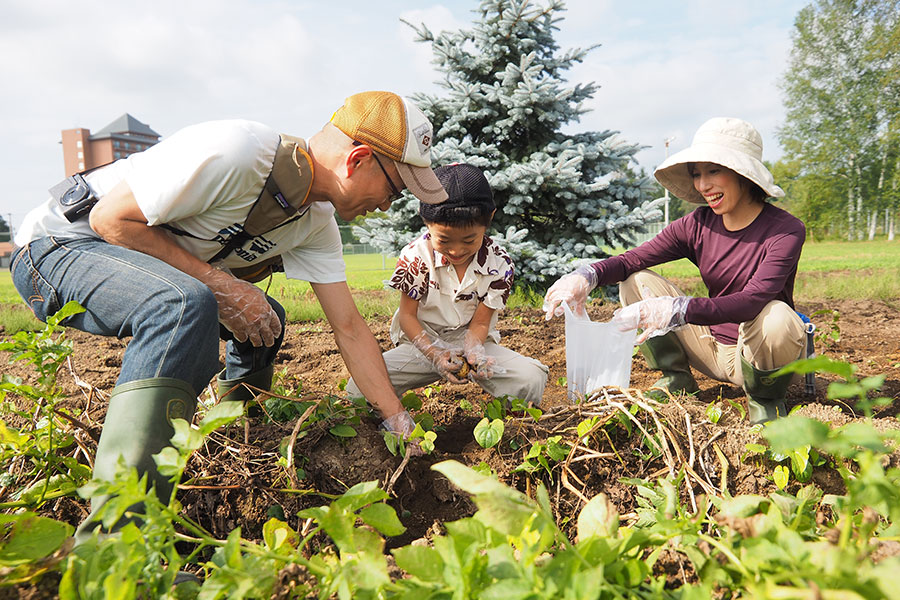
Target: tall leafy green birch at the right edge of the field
(841, 96)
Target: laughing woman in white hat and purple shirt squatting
(747, 251)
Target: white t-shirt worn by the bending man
(203, 180)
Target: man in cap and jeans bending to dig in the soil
(139, 260)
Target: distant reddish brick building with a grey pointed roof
(126, 135)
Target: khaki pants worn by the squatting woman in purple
(776, 337)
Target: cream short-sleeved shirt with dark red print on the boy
(445, 302)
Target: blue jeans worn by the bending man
(171, 317)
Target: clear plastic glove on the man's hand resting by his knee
(243, 308)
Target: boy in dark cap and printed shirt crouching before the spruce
(453, 281)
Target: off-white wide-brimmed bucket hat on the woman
(725, 141)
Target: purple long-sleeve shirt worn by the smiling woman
(743, 270)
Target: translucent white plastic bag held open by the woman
(597, 355)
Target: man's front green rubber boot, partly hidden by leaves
(138, 425)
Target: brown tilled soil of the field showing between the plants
(237, 481)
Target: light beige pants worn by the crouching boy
(521, 376)
